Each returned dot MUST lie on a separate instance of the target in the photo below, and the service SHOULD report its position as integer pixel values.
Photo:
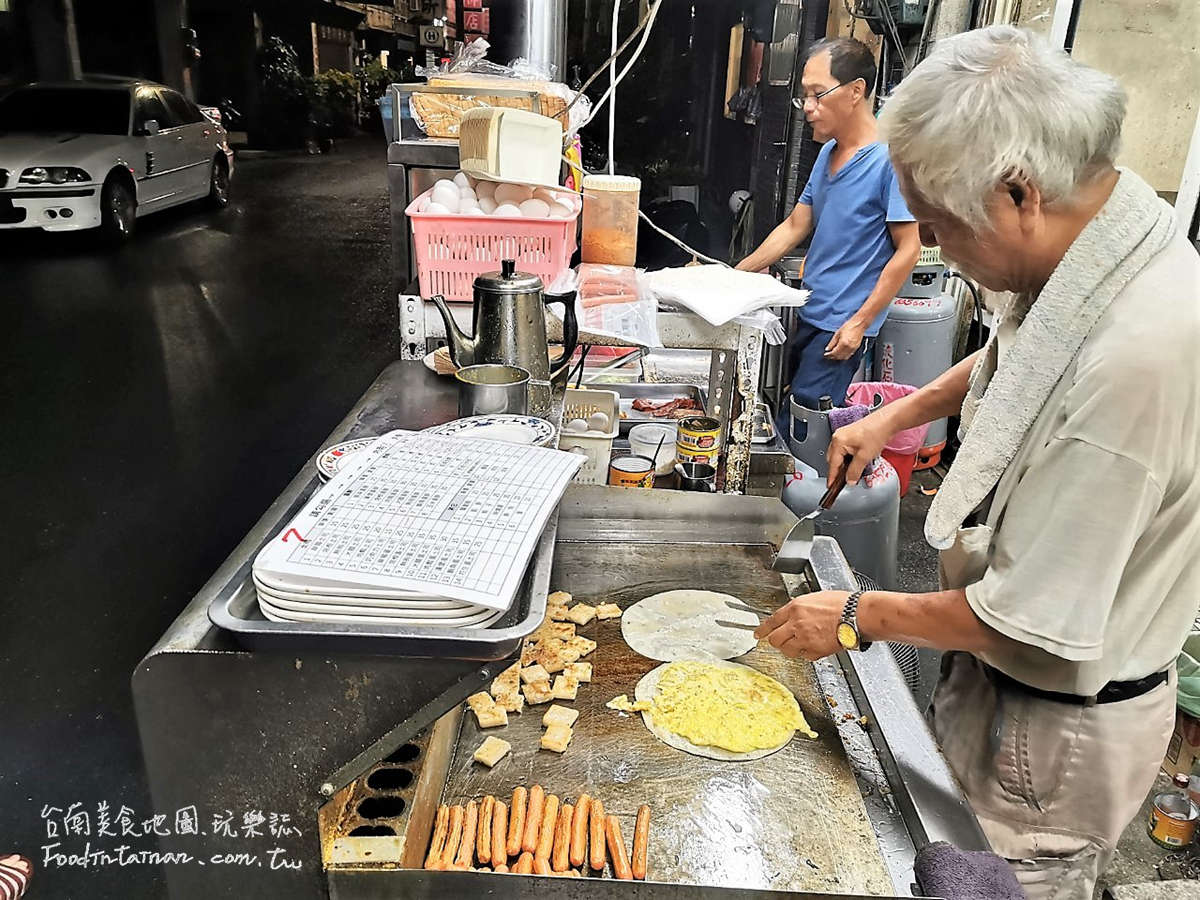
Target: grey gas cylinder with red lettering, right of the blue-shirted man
(915, 346)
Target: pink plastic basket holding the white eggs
(451, 251)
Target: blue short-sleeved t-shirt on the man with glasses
(851, 243)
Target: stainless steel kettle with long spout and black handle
(509, 325)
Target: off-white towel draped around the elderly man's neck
(1006, 399)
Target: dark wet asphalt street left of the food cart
(155, 401)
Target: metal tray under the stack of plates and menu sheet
(236, 610)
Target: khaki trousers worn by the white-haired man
(1054, 785)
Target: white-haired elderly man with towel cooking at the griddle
(1070, 523)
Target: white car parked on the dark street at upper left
(83, 155)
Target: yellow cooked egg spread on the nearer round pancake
(737, 710)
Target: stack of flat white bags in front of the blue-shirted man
(719, 295)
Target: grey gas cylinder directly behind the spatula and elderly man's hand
(865, 519)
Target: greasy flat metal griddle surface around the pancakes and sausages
(791, 821)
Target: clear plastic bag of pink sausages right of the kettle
(611, 303)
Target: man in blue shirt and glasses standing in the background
(865, 239)
